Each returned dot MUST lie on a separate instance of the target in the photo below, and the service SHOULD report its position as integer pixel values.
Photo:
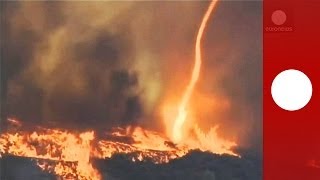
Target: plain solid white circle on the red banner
(291, 90)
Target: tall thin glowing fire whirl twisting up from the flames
(182, 112)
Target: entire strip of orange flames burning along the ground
(69, 154)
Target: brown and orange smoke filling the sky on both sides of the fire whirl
(103, 64)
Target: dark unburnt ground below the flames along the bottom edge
(194, 166)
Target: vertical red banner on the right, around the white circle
(291, 40)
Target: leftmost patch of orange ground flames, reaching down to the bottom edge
(69, 153)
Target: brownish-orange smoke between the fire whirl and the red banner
(234, 59)
